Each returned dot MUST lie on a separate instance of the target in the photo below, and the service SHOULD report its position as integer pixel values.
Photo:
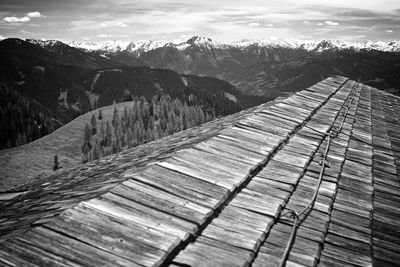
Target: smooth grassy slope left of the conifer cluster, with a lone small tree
(22, 164)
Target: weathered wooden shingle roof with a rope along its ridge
(214, 195)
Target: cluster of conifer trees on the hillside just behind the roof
(142, 122)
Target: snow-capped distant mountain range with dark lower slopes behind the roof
(269, 68)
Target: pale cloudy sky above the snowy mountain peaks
(95, 20)
